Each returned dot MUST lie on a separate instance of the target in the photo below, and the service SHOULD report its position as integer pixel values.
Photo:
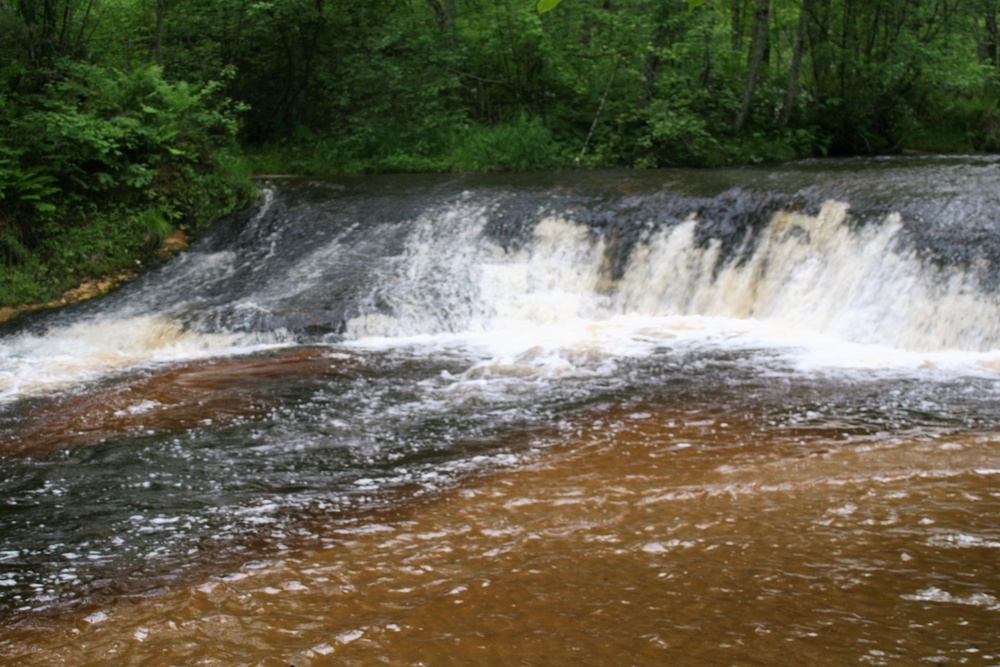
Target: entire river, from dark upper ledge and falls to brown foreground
(722, 417)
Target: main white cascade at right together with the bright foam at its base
(826, 294)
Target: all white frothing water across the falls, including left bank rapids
(827, 293)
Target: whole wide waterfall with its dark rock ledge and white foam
(871, 257)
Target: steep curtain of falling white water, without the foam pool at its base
(819, 272)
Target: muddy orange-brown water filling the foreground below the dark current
(646, 537)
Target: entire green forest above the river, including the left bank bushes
(121, 119)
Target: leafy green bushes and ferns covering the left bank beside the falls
(100, 165)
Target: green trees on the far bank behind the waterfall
(446, 84)
